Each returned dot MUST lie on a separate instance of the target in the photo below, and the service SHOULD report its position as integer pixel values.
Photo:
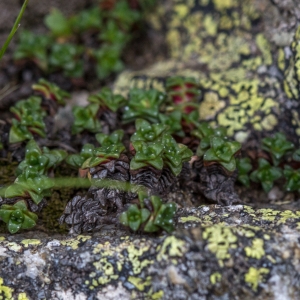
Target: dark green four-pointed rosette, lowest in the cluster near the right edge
(266, 174)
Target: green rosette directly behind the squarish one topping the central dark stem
(146, 132)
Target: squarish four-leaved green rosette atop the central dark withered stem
(149, 154)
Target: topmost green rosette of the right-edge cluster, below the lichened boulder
(277, 146)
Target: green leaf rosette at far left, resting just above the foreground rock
(17, 216)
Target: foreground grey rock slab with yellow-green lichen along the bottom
(235, 252)
